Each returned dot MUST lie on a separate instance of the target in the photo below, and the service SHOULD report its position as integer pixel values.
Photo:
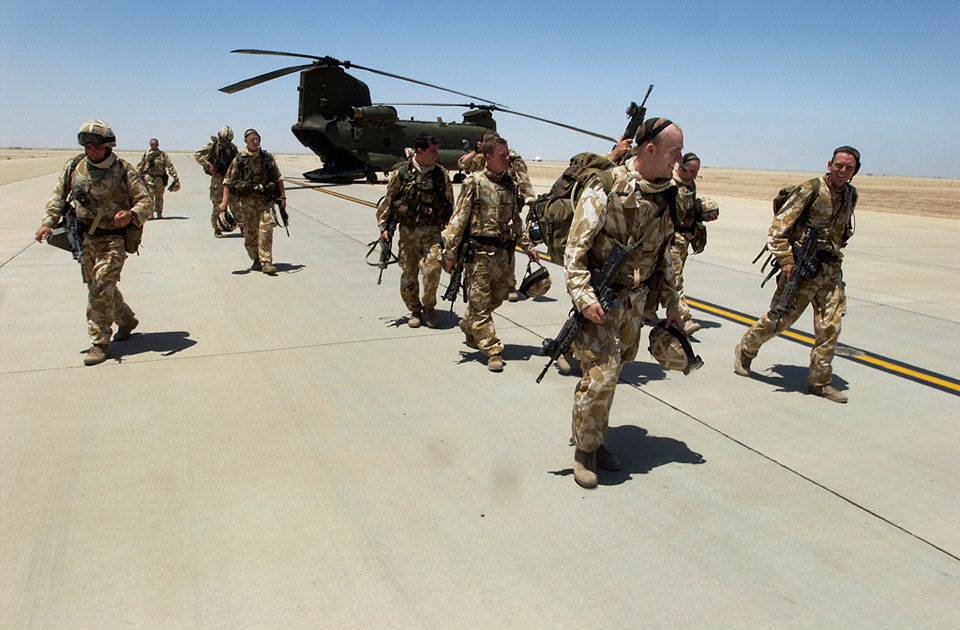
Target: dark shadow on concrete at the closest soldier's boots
(639, 453)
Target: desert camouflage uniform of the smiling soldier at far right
(831, 212)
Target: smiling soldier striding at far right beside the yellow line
(831, 209)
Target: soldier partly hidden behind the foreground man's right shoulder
(690, 231)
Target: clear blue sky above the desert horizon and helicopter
(754, 85)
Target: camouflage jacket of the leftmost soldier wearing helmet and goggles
(89, 191)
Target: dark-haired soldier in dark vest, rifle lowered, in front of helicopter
(420, 197)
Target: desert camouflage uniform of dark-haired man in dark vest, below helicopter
(419, 229)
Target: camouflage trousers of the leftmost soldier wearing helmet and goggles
(103, 258)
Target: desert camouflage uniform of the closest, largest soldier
(599, 221)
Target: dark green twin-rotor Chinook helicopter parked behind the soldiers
(356, 138)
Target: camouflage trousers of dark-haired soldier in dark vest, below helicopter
(419, 254)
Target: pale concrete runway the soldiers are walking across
(284, 452)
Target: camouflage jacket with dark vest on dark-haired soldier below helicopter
(412, 195)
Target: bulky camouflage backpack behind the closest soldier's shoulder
(553, 211)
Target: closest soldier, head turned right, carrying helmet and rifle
(638, 212)
